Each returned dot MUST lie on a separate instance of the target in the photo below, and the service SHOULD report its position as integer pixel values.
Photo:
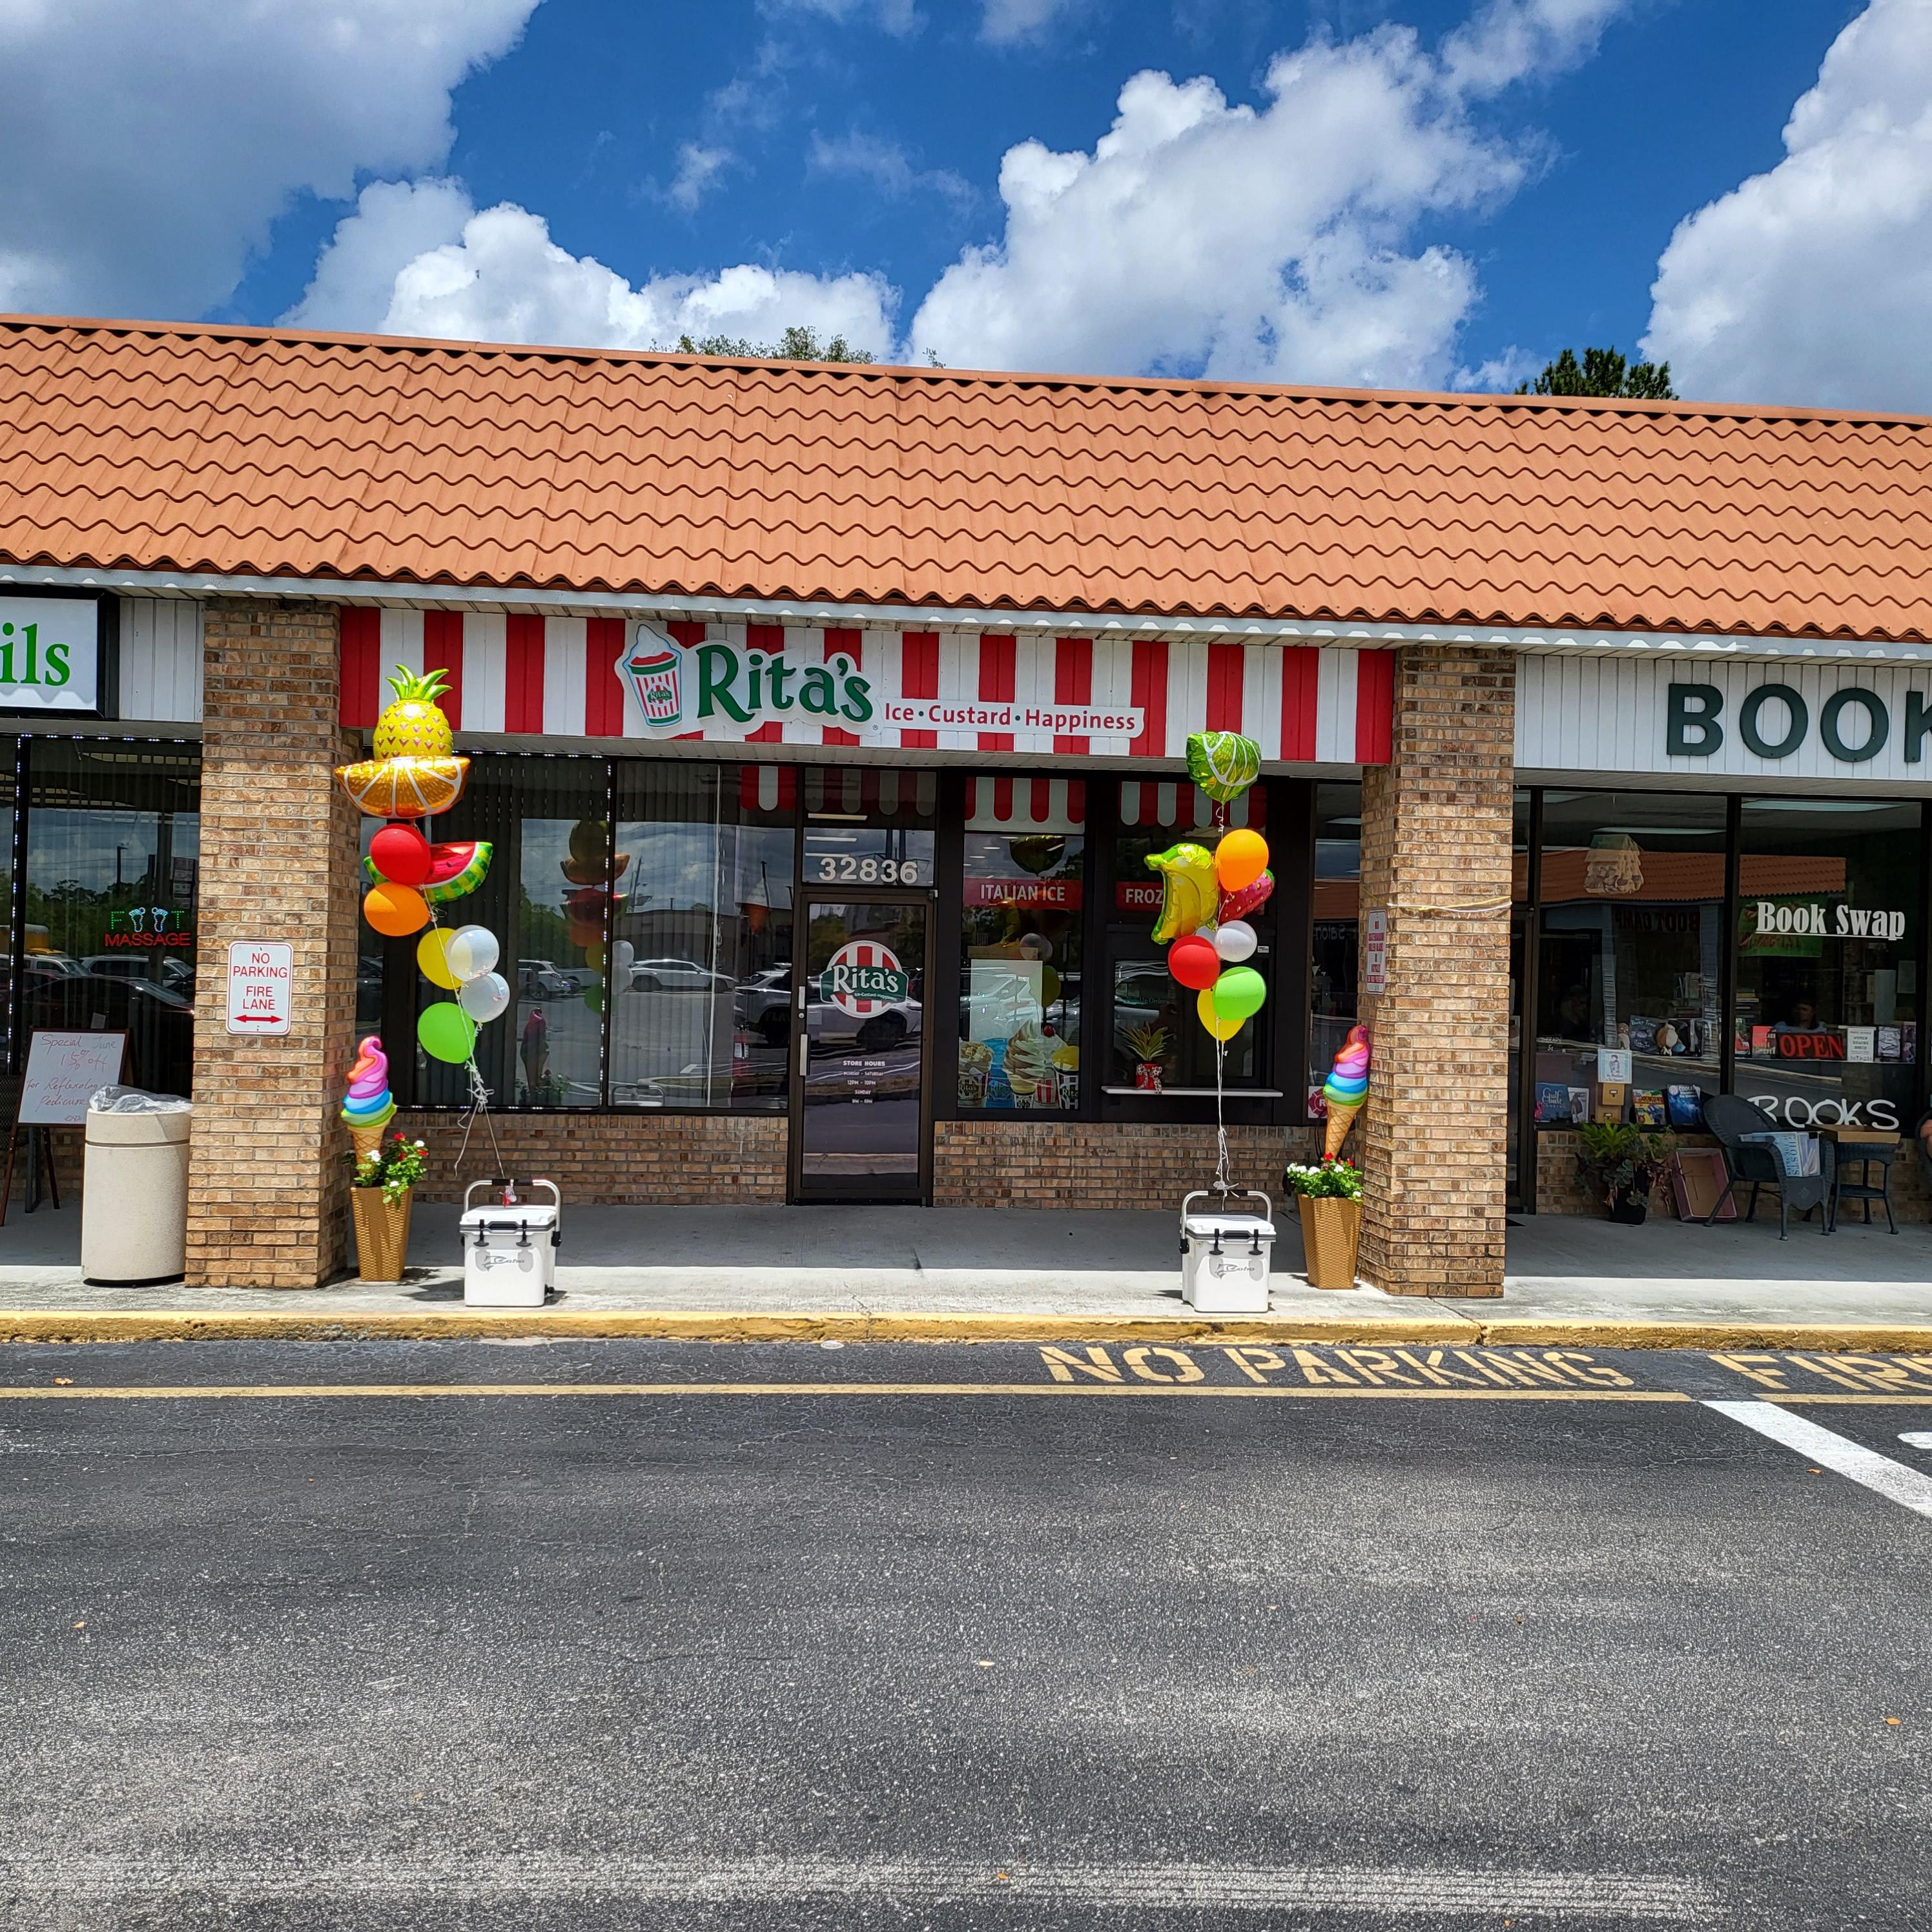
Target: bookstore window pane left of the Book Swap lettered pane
(1630, 953)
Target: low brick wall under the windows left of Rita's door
(673, 1160)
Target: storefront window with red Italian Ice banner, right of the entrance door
(1021, 944)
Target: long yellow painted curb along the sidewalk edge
(1446, 1328)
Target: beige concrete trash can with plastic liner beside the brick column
(134, 1189)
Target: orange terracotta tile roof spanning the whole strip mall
(246, 451)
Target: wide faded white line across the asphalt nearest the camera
(544, 1877)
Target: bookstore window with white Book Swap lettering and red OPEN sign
(1829, 959)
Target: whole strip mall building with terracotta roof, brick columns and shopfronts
(1587, 727)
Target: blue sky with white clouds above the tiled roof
(1423, 196)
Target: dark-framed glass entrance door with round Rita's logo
(861, 1122)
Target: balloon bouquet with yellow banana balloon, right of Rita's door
(1208, 897)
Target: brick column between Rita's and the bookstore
(1436, 836)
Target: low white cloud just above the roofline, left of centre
(499, 277)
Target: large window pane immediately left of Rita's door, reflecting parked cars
(702, 965)
